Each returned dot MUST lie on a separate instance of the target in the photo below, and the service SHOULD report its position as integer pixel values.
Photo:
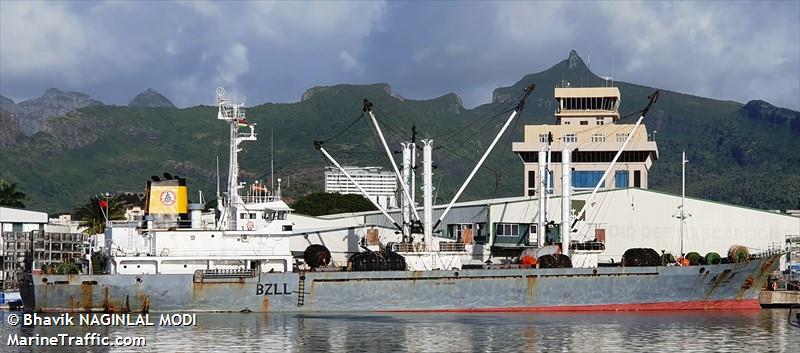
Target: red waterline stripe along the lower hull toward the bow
(688, 305)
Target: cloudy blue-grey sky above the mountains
(273, 52)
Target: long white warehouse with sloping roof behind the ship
(627, 218)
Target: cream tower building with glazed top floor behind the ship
(587, 123)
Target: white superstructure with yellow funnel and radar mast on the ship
(249, 230)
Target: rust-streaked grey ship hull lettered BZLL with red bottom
(724, 286)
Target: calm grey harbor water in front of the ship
(686, 331)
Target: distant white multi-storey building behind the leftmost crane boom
(380, 185)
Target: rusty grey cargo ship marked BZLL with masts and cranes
(245, 257)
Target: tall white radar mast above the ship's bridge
(234, 115)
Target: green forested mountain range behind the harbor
(742, 154)
